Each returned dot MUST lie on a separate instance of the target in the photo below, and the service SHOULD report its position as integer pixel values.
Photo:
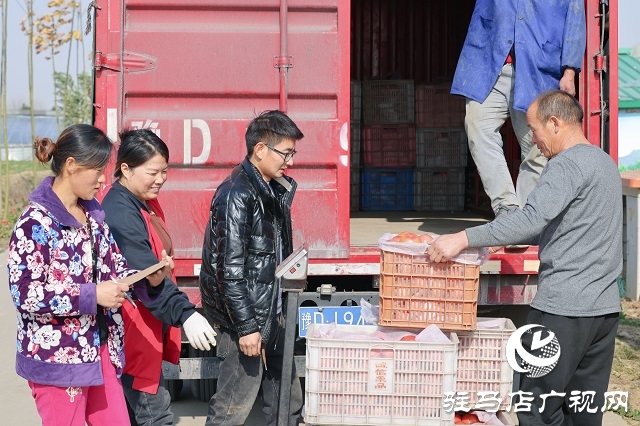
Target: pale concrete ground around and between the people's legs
(17, 406)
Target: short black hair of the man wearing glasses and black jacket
(271, 127)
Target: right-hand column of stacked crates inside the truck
(441, 144)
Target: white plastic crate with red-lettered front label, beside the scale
(374, 382)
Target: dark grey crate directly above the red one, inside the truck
(388, 102)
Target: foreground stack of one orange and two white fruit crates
(356, 378)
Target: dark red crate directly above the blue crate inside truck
(389, 146)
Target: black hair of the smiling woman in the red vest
(137, 147)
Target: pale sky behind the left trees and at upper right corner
(17, 82)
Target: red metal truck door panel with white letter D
(197, 71)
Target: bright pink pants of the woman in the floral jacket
(73, 406)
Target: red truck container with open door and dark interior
(197, 71)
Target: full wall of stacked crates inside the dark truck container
(408, 146)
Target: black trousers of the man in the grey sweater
(586, 356)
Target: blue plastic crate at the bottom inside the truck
(386, 189)
